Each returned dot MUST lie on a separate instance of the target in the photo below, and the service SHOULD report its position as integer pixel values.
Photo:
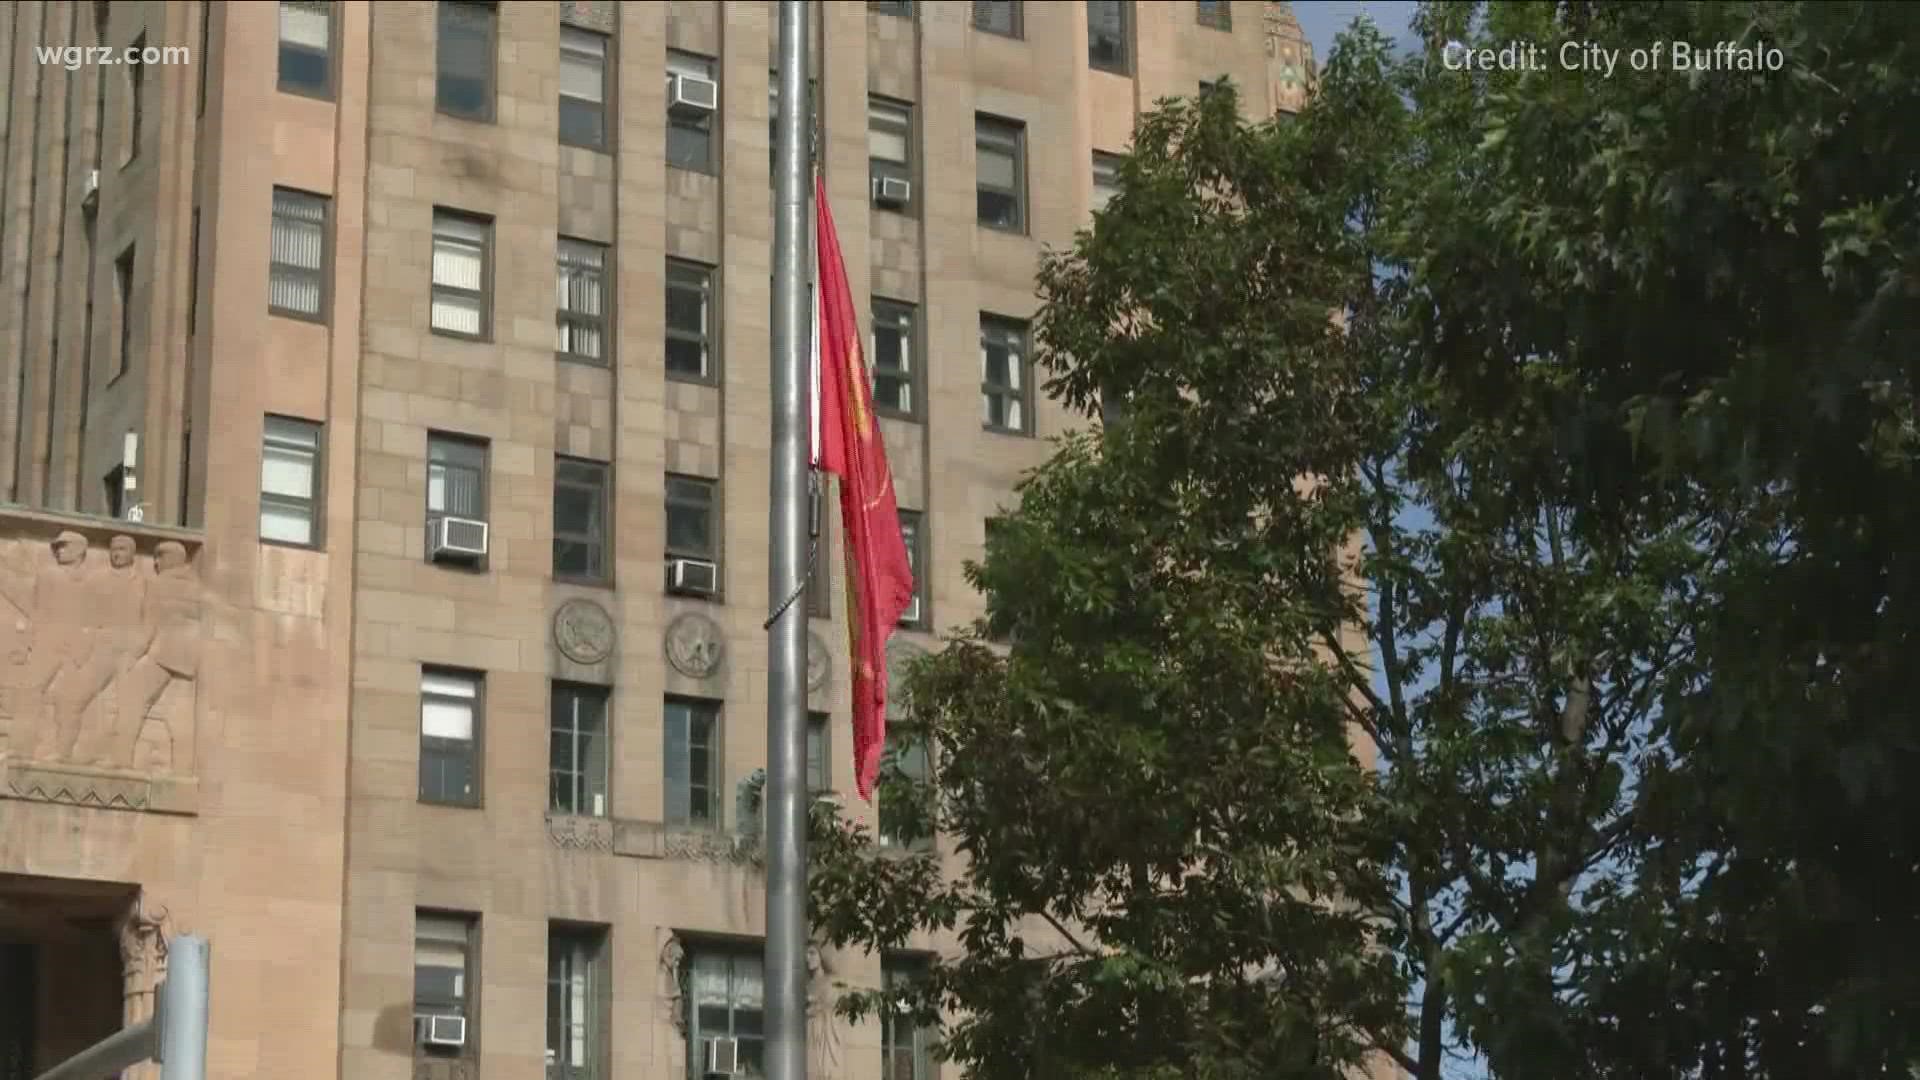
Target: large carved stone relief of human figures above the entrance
(99, 662)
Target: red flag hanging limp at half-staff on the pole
(880, 583)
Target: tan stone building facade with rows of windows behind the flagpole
(297, 305)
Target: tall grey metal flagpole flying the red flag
(786, 670)
